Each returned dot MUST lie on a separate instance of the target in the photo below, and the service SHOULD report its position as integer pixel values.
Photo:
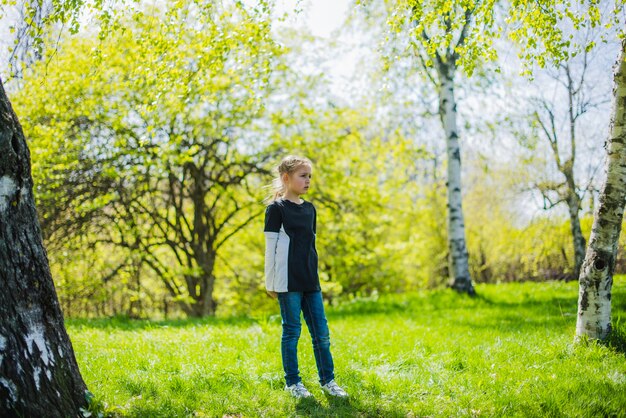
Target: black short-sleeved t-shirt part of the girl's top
(299, 224)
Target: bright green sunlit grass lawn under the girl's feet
(509, 352)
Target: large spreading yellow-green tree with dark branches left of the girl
(157, 154)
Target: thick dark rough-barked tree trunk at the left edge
(39, 375)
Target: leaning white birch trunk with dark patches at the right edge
(596, 277)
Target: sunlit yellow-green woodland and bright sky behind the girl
(152, 146)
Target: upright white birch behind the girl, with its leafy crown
(449, 39)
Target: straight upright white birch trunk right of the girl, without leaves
(461, 279)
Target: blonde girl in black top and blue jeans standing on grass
(291, 274)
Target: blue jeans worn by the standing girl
(312, 306)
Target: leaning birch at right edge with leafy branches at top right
(540, 33)
